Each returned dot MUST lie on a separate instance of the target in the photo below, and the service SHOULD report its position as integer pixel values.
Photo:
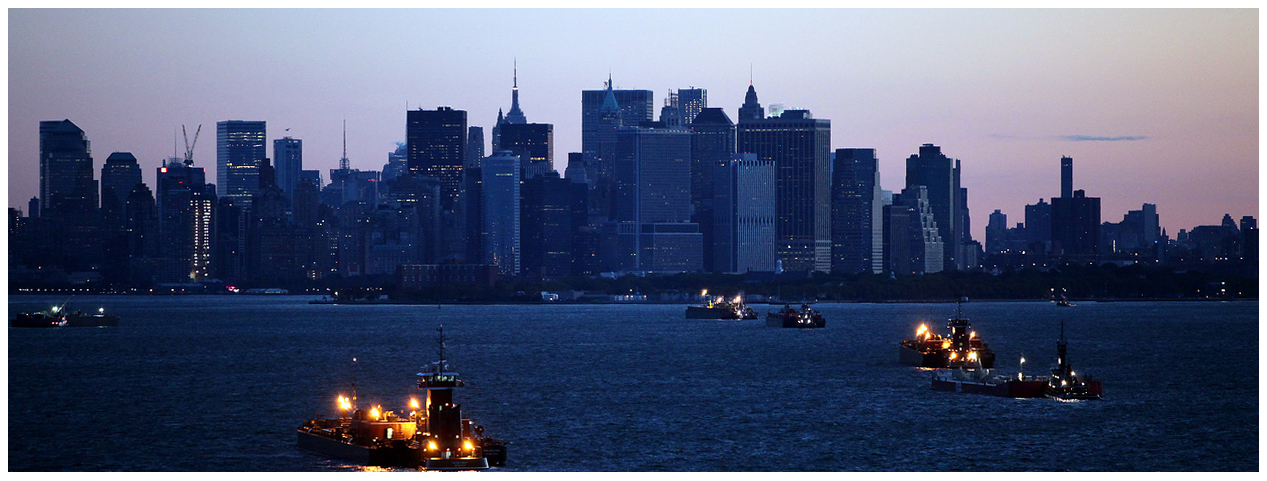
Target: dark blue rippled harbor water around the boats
(221, 384)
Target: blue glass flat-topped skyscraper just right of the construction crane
(240, 150)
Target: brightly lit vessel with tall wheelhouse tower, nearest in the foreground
(435, 437)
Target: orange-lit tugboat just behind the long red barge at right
(961, 350)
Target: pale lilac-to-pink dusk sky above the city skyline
(1154, 106)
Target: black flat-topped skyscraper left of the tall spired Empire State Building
(438, 149)
